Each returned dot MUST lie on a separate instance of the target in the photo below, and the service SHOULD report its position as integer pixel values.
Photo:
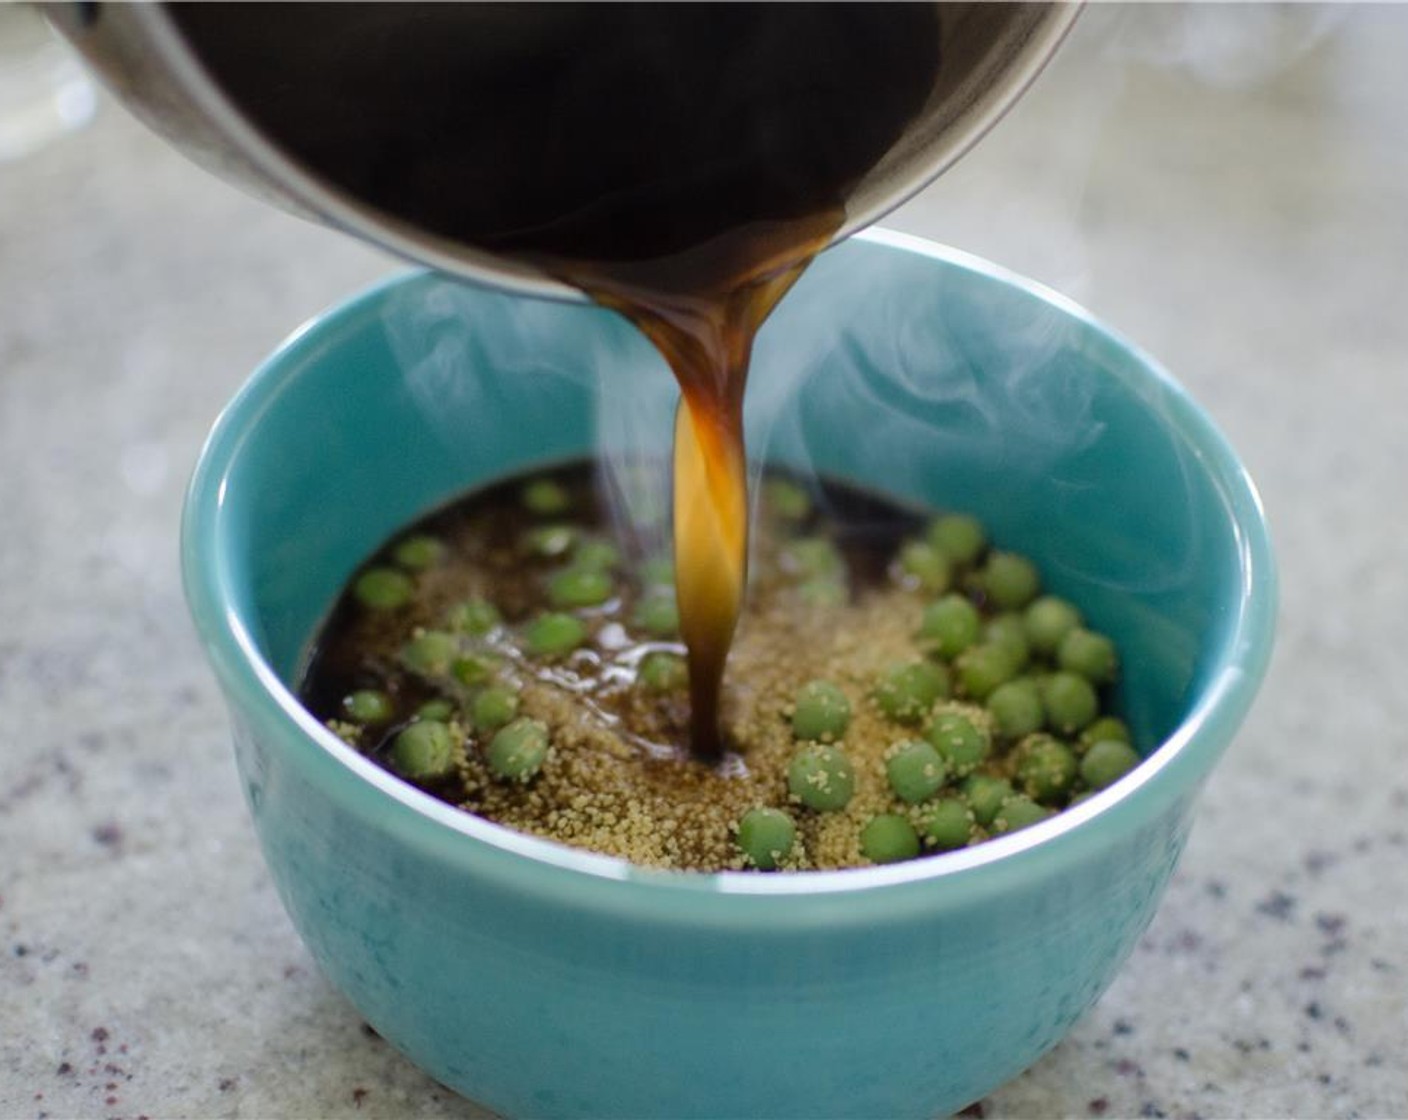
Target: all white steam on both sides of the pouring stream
(864, 337)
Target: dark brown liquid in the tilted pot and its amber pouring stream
(681, 164)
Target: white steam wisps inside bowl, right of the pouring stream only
(912, 366)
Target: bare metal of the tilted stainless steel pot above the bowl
(142, 54)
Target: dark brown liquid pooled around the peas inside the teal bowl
(484, 533)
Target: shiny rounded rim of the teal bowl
(249, 678)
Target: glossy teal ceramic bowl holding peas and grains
(544, 981)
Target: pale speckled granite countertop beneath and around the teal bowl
(1227, 187)
